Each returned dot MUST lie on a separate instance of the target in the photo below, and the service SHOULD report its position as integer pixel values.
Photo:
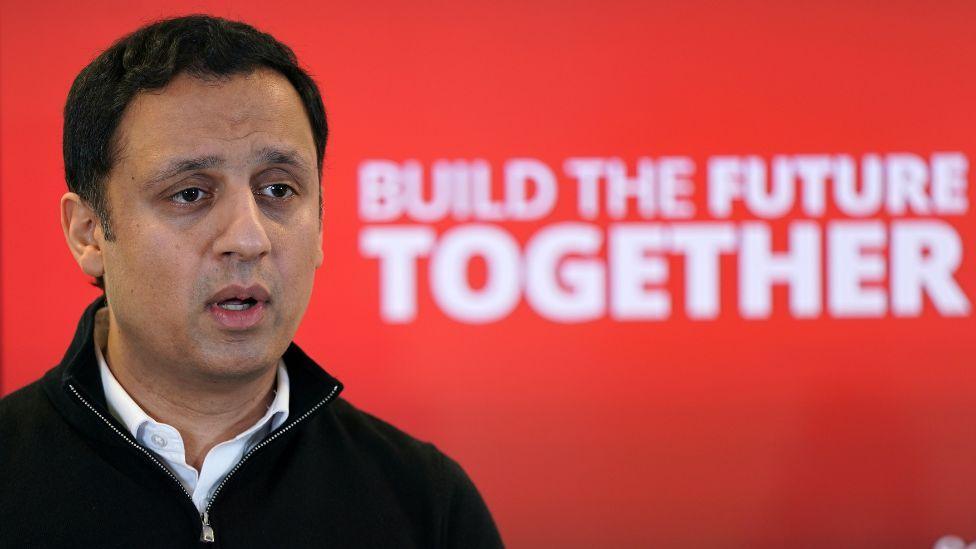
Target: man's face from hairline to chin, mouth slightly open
(213, 201)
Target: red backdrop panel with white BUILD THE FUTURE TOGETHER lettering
(657, 274)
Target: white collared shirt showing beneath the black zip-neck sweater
(166, 442)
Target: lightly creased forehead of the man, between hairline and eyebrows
(233, 117)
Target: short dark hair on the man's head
(148, 59)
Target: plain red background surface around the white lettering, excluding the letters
(728, 433)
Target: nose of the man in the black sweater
(243, 235)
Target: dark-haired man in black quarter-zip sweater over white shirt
(181, 412)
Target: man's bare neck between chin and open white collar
(205, 411)
